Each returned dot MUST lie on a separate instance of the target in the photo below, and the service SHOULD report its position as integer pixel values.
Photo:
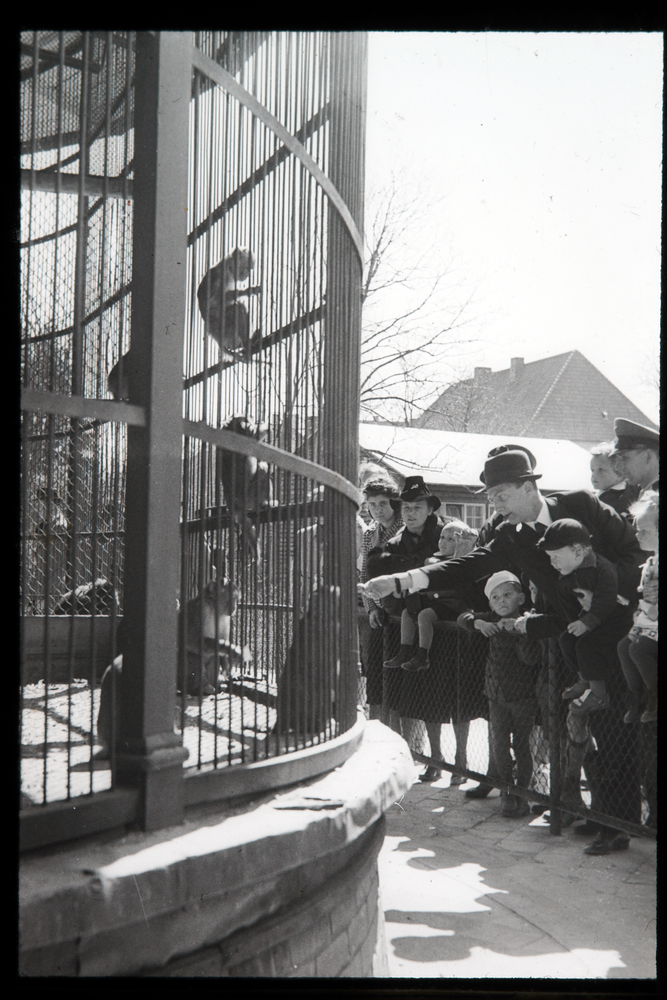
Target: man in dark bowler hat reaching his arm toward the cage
(522, 516)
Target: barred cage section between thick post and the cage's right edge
(246, 192)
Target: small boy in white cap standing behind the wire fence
(509, 684)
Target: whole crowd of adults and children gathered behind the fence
(562, 591)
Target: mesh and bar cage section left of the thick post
(75, 306)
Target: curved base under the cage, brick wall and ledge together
(284, 885)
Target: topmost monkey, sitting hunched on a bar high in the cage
(225, 318)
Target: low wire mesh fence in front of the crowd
(535, 748)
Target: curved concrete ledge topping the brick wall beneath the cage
(139, 902)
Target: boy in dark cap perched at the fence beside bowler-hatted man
(588, 593)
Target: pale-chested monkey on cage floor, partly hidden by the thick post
(207, 657)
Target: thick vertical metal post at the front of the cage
(150, 754)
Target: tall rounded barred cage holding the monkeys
(190, 304)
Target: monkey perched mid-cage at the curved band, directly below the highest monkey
(246, 482)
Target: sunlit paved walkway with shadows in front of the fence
(468, 894)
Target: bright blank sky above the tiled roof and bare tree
(545, 149)
